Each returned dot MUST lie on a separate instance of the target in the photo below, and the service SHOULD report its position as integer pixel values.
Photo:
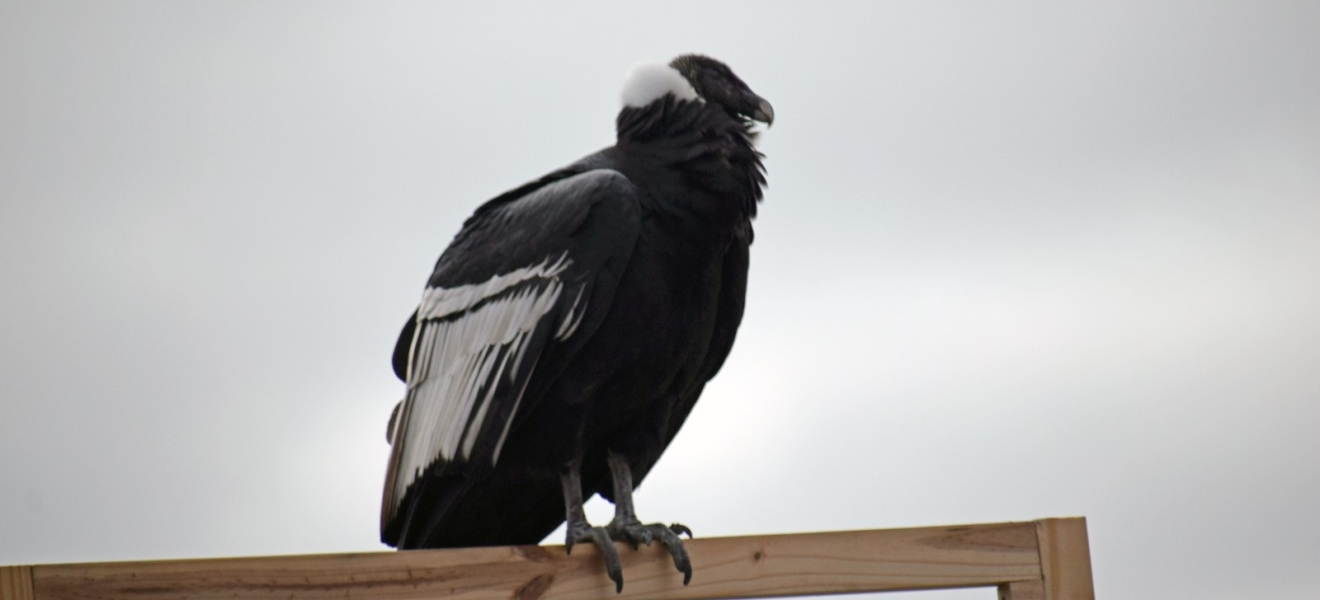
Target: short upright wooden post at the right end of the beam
(1066, 558)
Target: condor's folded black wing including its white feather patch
(514, 287)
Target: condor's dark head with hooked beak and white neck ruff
(696, 77)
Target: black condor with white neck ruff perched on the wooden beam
(572, 324)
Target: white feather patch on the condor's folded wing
(459, 363)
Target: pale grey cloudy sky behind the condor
(1016, 260)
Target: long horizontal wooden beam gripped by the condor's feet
(756, 566)
